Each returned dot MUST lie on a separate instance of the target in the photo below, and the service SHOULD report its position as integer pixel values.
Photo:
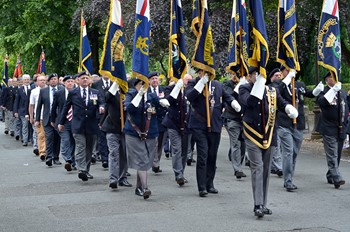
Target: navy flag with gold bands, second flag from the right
(287, 53)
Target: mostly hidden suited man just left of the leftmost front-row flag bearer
(102, 85)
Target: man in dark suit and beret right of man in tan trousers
(45, 101)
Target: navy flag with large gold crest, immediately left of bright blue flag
(112, 60)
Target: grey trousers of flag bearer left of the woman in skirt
(117, 161)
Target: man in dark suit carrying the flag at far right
(332, 125)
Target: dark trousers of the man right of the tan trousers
(53, 142)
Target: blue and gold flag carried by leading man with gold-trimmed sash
(259, 51)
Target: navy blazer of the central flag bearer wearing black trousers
(198, 118)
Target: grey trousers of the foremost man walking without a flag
(83, 150)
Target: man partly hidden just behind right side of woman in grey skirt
(161, 112)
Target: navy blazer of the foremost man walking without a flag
(85, 117)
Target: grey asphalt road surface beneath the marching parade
(36, 198)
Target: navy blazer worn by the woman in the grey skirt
(136, 114)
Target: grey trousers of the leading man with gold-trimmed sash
(260, 166)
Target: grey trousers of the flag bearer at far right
(330, 144)
